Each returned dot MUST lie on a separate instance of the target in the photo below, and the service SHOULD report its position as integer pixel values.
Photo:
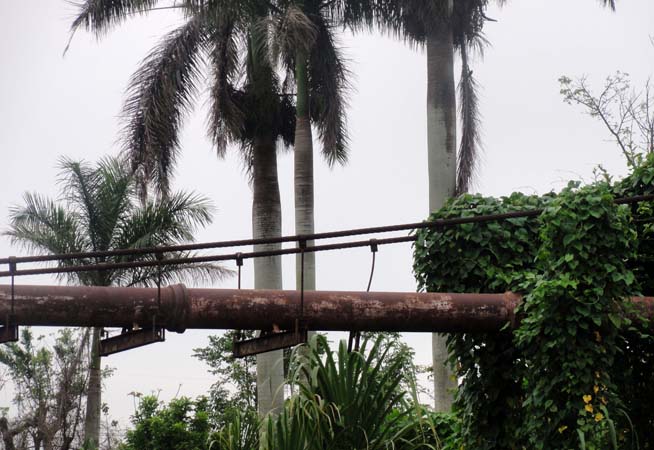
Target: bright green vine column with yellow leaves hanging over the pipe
(572, 317)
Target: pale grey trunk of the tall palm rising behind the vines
(441, 148)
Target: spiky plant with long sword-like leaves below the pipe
(348, 400)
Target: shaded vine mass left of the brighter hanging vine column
(482, 257)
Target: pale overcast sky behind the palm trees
(533, 142)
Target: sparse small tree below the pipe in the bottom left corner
(50, 385)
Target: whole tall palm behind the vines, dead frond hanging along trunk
(443, 27)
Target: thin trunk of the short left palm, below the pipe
(94, 394)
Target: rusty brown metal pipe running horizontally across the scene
(180, 308)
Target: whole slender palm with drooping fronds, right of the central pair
(303, 40)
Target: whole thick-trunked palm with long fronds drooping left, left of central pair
(246, 108)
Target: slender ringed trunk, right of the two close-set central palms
(303, 175)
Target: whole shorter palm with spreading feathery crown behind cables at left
(99, 211)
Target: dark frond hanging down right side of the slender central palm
(328, 86)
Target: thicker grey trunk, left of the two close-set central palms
(267, 223)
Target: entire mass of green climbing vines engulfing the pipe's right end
(576, 371)
